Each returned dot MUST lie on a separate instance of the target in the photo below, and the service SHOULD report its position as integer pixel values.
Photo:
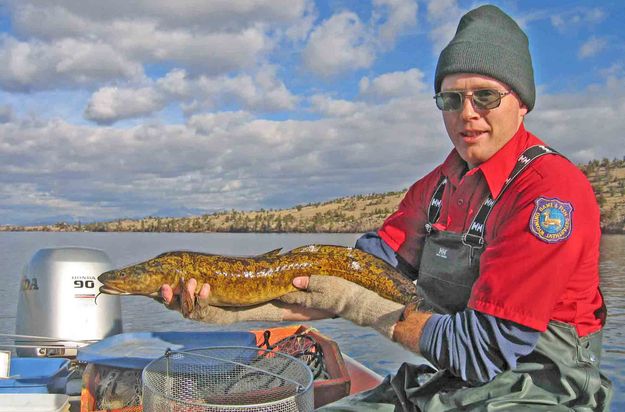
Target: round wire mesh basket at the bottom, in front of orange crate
(227, 379)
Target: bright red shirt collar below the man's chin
(496, 169)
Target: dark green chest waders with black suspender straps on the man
(561, 374)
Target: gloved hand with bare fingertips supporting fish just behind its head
(183, 299)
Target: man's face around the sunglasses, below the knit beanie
(478, 134)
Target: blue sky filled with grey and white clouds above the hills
(118, 109)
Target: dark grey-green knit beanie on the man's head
(490, 43)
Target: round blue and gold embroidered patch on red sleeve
(552, 220)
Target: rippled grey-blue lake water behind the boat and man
(143, 314)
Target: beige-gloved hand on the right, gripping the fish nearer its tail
(347, 300)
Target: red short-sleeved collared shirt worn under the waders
(523, 277)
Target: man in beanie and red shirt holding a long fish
(503, 242)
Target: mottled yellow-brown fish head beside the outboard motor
(145, 278)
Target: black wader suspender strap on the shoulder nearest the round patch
(475, 235)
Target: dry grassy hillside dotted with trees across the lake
(353, 214)
